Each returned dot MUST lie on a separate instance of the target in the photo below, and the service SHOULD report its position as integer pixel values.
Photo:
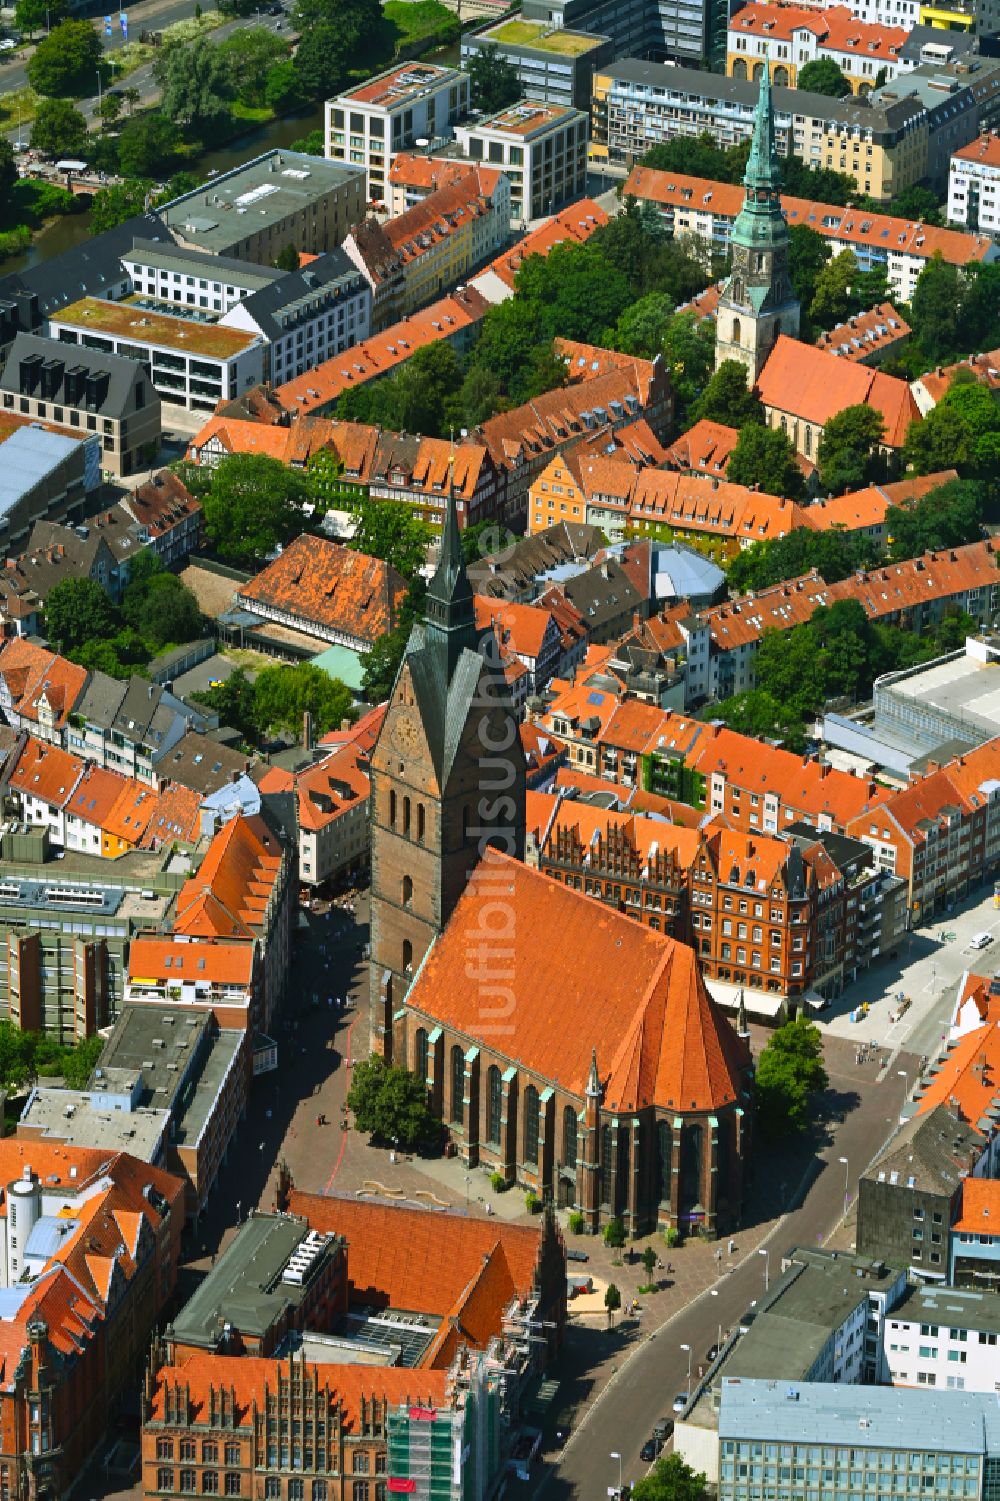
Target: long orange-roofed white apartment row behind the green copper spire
(706, 211)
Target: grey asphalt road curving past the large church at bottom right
(645, 1388)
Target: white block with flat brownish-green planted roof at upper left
(193, 365)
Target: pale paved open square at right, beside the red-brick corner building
(930, 964)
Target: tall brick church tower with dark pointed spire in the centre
(447, 783)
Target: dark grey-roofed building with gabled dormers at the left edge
(88, 393)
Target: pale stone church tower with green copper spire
(759, 302)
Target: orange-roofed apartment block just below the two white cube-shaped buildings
(435, 245)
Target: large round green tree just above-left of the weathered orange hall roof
(255, 504)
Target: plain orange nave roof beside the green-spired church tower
(813, 385)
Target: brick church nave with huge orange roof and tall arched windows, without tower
(579, 1053)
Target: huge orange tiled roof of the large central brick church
(658, 1036)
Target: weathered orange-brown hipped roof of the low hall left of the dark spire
(321, 583)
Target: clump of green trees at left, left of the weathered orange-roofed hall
(157, 613)
